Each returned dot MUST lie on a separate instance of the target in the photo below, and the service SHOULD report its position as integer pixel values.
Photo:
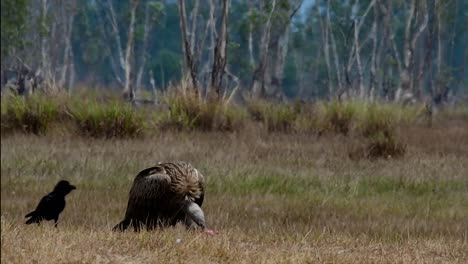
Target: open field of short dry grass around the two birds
(273, 198)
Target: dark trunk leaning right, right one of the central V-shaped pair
(219, 62)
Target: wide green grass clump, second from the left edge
(107, 120)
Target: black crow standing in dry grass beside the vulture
(51, 205)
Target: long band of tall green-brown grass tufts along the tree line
(104, 115)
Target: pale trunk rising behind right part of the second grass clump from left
(128, 91)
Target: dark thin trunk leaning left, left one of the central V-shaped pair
(186, 49)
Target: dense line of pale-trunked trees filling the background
(267, 48)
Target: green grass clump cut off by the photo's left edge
(33, 114)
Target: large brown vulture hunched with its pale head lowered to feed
(164, 195)
